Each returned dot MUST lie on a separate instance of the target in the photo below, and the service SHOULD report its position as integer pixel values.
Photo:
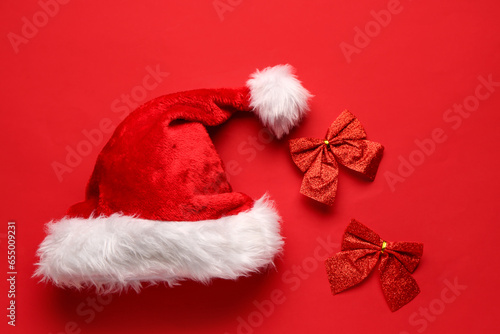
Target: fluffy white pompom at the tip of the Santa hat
(278, 97)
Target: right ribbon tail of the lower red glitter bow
(398, 286)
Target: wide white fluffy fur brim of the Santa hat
(119, 252)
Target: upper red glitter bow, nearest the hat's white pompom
(345, 143)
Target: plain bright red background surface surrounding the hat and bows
(64, 78)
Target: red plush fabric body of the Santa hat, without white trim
(160, 163)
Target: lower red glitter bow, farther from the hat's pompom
(361, 250)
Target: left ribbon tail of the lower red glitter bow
(348, 268)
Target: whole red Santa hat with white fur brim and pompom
(158, 206)
